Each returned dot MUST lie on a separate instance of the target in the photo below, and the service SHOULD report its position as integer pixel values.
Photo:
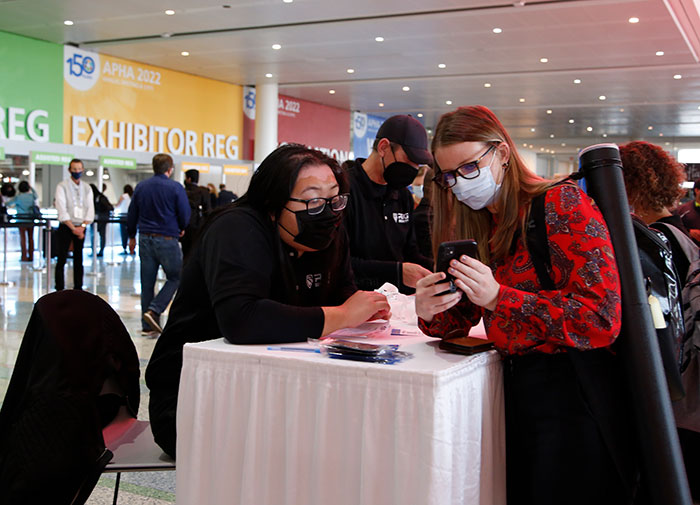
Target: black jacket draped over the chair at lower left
(52, 415)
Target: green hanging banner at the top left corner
(31, 89)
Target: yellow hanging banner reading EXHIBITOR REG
(120, 104)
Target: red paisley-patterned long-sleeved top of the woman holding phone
(583, 311)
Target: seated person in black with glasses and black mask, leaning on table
(270, 268)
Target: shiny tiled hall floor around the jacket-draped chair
(117, 281)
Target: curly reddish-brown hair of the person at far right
(652, 177)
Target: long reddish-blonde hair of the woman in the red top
(453, 220)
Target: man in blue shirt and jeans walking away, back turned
(160, 212)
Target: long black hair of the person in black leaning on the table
(273, 181)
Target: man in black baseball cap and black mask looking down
(379, 215)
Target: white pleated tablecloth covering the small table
(261, 427)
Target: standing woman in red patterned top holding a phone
(566, 438)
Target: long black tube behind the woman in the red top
(662, 468)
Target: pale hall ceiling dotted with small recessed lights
(590, 40)
